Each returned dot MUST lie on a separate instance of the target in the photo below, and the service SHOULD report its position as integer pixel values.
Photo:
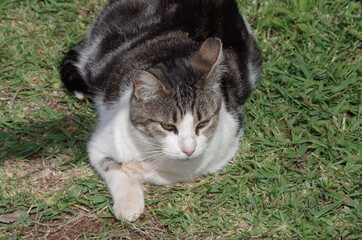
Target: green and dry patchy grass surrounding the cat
(298, 173)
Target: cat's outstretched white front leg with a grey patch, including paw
(127, 193)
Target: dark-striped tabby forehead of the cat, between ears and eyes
(181, 93)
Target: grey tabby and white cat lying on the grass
(168, 79)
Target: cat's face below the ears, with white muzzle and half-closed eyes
(175, 126)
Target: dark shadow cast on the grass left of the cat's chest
(67, 135)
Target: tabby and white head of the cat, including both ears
(175, 105)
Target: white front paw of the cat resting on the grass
(131, 206)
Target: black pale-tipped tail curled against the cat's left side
(71, 76)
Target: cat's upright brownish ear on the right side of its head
(209, 55)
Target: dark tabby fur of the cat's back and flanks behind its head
(129, 35)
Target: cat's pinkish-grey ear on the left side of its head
(146, 85)
